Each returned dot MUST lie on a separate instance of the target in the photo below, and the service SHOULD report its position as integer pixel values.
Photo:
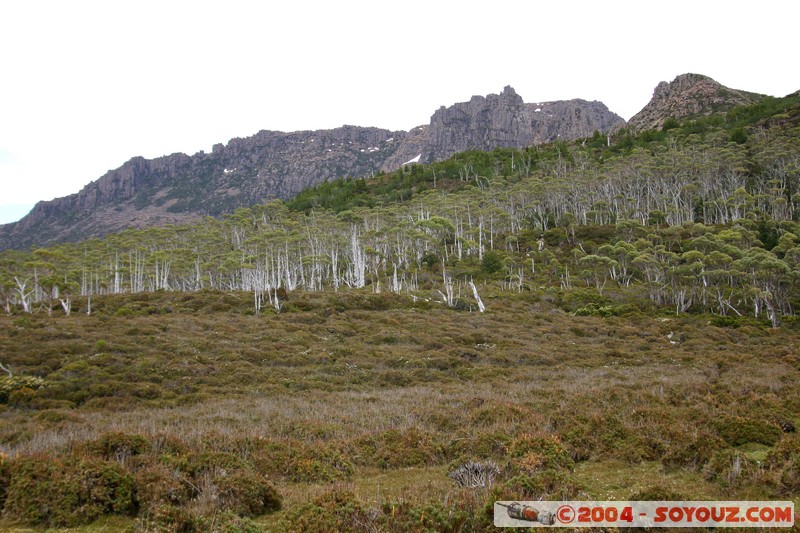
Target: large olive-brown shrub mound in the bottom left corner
(43, 490)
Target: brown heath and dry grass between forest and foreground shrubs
(338, 373)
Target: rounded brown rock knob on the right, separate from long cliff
(688, 95)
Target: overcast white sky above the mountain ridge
(86, 85)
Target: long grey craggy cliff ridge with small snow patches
(246, 171)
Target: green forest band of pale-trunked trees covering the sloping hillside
(701, 215)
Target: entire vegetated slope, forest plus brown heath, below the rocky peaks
(610, 318)
